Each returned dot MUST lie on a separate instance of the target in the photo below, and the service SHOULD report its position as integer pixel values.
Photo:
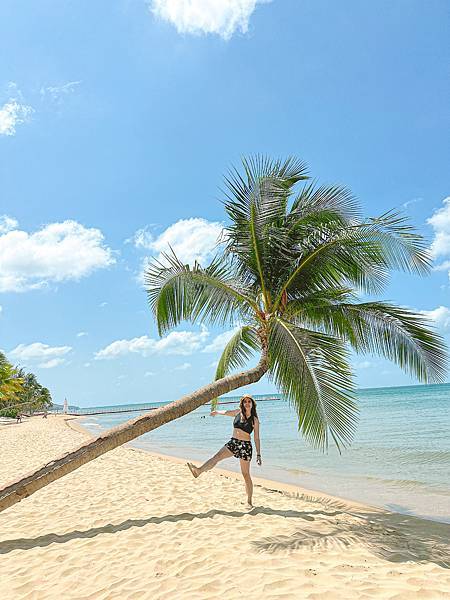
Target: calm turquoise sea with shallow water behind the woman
(399, 459)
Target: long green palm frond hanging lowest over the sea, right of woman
(312, 370)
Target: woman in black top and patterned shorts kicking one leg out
(245, 421)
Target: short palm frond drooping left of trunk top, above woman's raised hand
(236, 353)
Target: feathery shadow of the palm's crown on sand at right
(393, 537)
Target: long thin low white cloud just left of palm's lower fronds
(176, 342)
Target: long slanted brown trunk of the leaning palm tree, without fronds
(32, 482)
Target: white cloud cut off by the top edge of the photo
(221, 17)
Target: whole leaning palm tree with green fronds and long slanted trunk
(287, 277)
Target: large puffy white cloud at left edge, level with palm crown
(57, 252)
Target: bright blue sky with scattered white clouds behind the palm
(118, 120)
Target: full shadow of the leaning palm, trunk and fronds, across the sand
(393, 537)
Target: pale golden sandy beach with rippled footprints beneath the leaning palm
(135, 525)
